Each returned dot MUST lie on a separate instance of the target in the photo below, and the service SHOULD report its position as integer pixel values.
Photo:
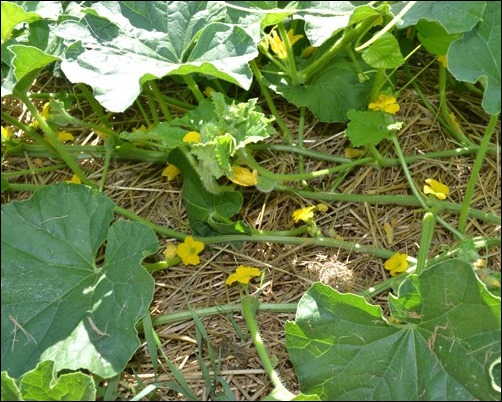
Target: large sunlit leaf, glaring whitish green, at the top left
(118, 46)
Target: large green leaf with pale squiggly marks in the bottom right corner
(343, 348)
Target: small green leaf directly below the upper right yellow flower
(369, 127)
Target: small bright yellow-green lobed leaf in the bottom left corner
(43, 384)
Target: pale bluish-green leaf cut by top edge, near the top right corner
(455, 17)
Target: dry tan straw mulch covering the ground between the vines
(290, 270)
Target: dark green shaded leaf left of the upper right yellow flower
(330, 94)
